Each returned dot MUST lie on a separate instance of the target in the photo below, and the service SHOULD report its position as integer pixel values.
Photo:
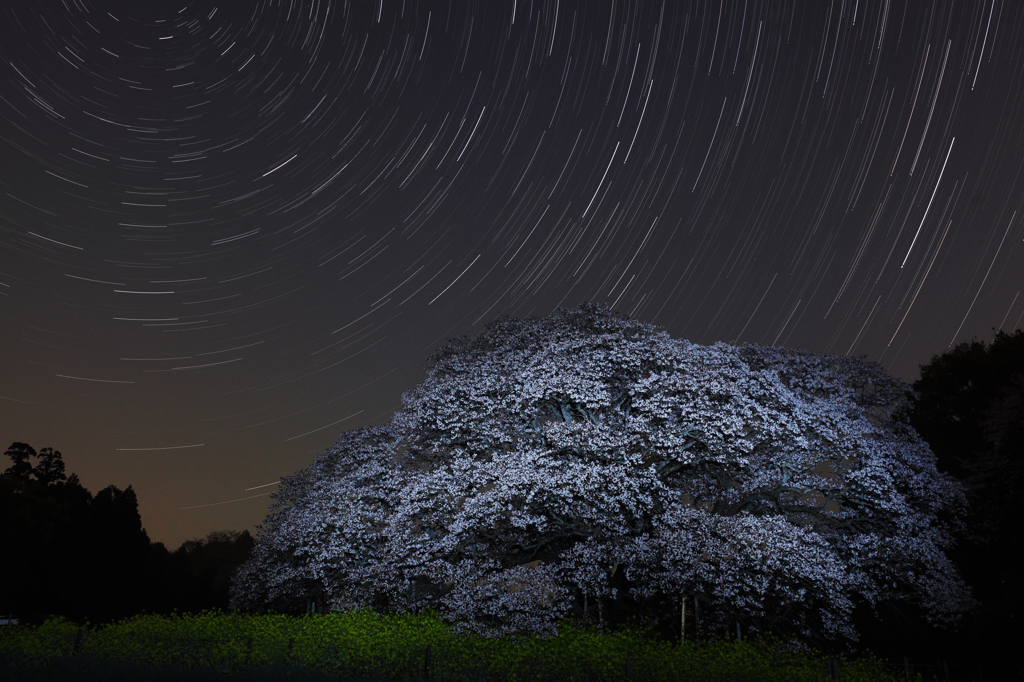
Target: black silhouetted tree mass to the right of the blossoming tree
(970, 408)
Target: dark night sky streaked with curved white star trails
(230, 232)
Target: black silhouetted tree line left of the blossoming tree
(69, 552)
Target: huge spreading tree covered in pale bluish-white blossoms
(585, 463)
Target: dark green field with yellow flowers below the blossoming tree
(365, 646)
